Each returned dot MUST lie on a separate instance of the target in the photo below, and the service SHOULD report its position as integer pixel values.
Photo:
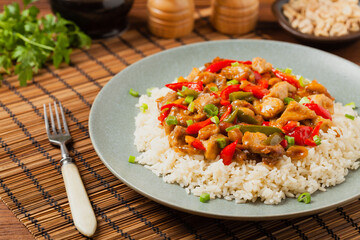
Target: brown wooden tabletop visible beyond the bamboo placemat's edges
(10, 226)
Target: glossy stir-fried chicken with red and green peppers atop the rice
(245, 110)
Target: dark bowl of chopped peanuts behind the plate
(324, 22)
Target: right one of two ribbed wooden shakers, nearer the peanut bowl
(234, 16)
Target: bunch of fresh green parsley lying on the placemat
(27, 42)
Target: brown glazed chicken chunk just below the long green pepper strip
(254, 142)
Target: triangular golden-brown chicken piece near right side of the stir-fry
(295, 112)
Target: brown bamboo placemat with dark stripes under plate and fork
(31, 183)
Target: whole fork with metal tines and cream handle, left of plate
(81, 210)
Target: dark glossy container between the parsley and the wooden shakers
(97, 18)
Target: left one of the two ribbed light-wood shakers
(170, 18)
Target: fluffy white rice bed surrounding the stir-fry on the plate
(326, 165)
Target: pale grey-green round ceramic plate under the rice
(112, 121)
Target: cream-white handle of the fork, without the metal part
(81, 210)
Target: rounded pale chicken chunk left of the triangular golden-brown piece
(270, 107)
